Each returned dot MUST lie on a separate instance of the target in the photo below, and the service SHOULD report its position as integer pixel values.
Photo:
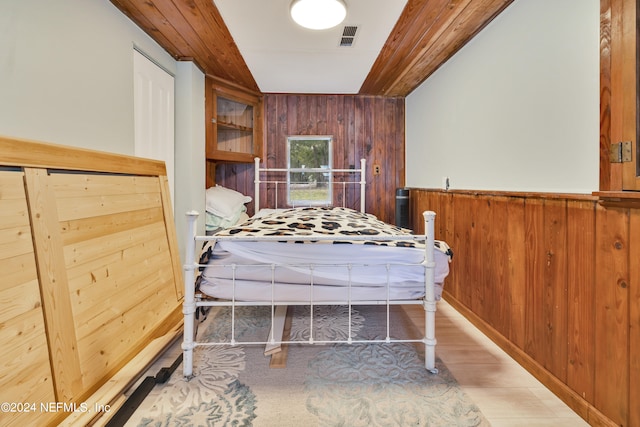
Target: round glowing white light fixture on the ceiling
(318, 14)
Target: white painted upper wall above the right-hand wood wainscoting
(517, 109)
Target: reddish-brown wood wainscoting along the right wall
(554, 280)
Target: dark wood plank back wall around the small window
(362, 127)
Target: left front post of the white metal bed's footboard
(189, 303)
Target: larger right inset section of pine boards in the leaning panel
(118, 264)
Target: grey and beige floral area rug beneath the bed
(322, 385)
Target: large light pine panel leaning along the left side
(91, 275)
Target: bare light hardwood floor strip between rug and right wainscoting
(504, 391)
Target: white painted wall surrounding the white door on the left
(66, 77)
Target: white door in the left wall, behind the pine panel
(154, 113)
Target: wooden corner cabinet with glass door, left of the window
(234, 125)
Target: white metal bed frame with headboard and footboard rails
(192, 301)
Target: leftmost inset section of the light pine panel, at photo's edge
(25, 373)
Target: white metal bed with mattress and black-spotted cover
(313, 256)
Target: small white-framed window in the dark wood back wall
(308, 181)
